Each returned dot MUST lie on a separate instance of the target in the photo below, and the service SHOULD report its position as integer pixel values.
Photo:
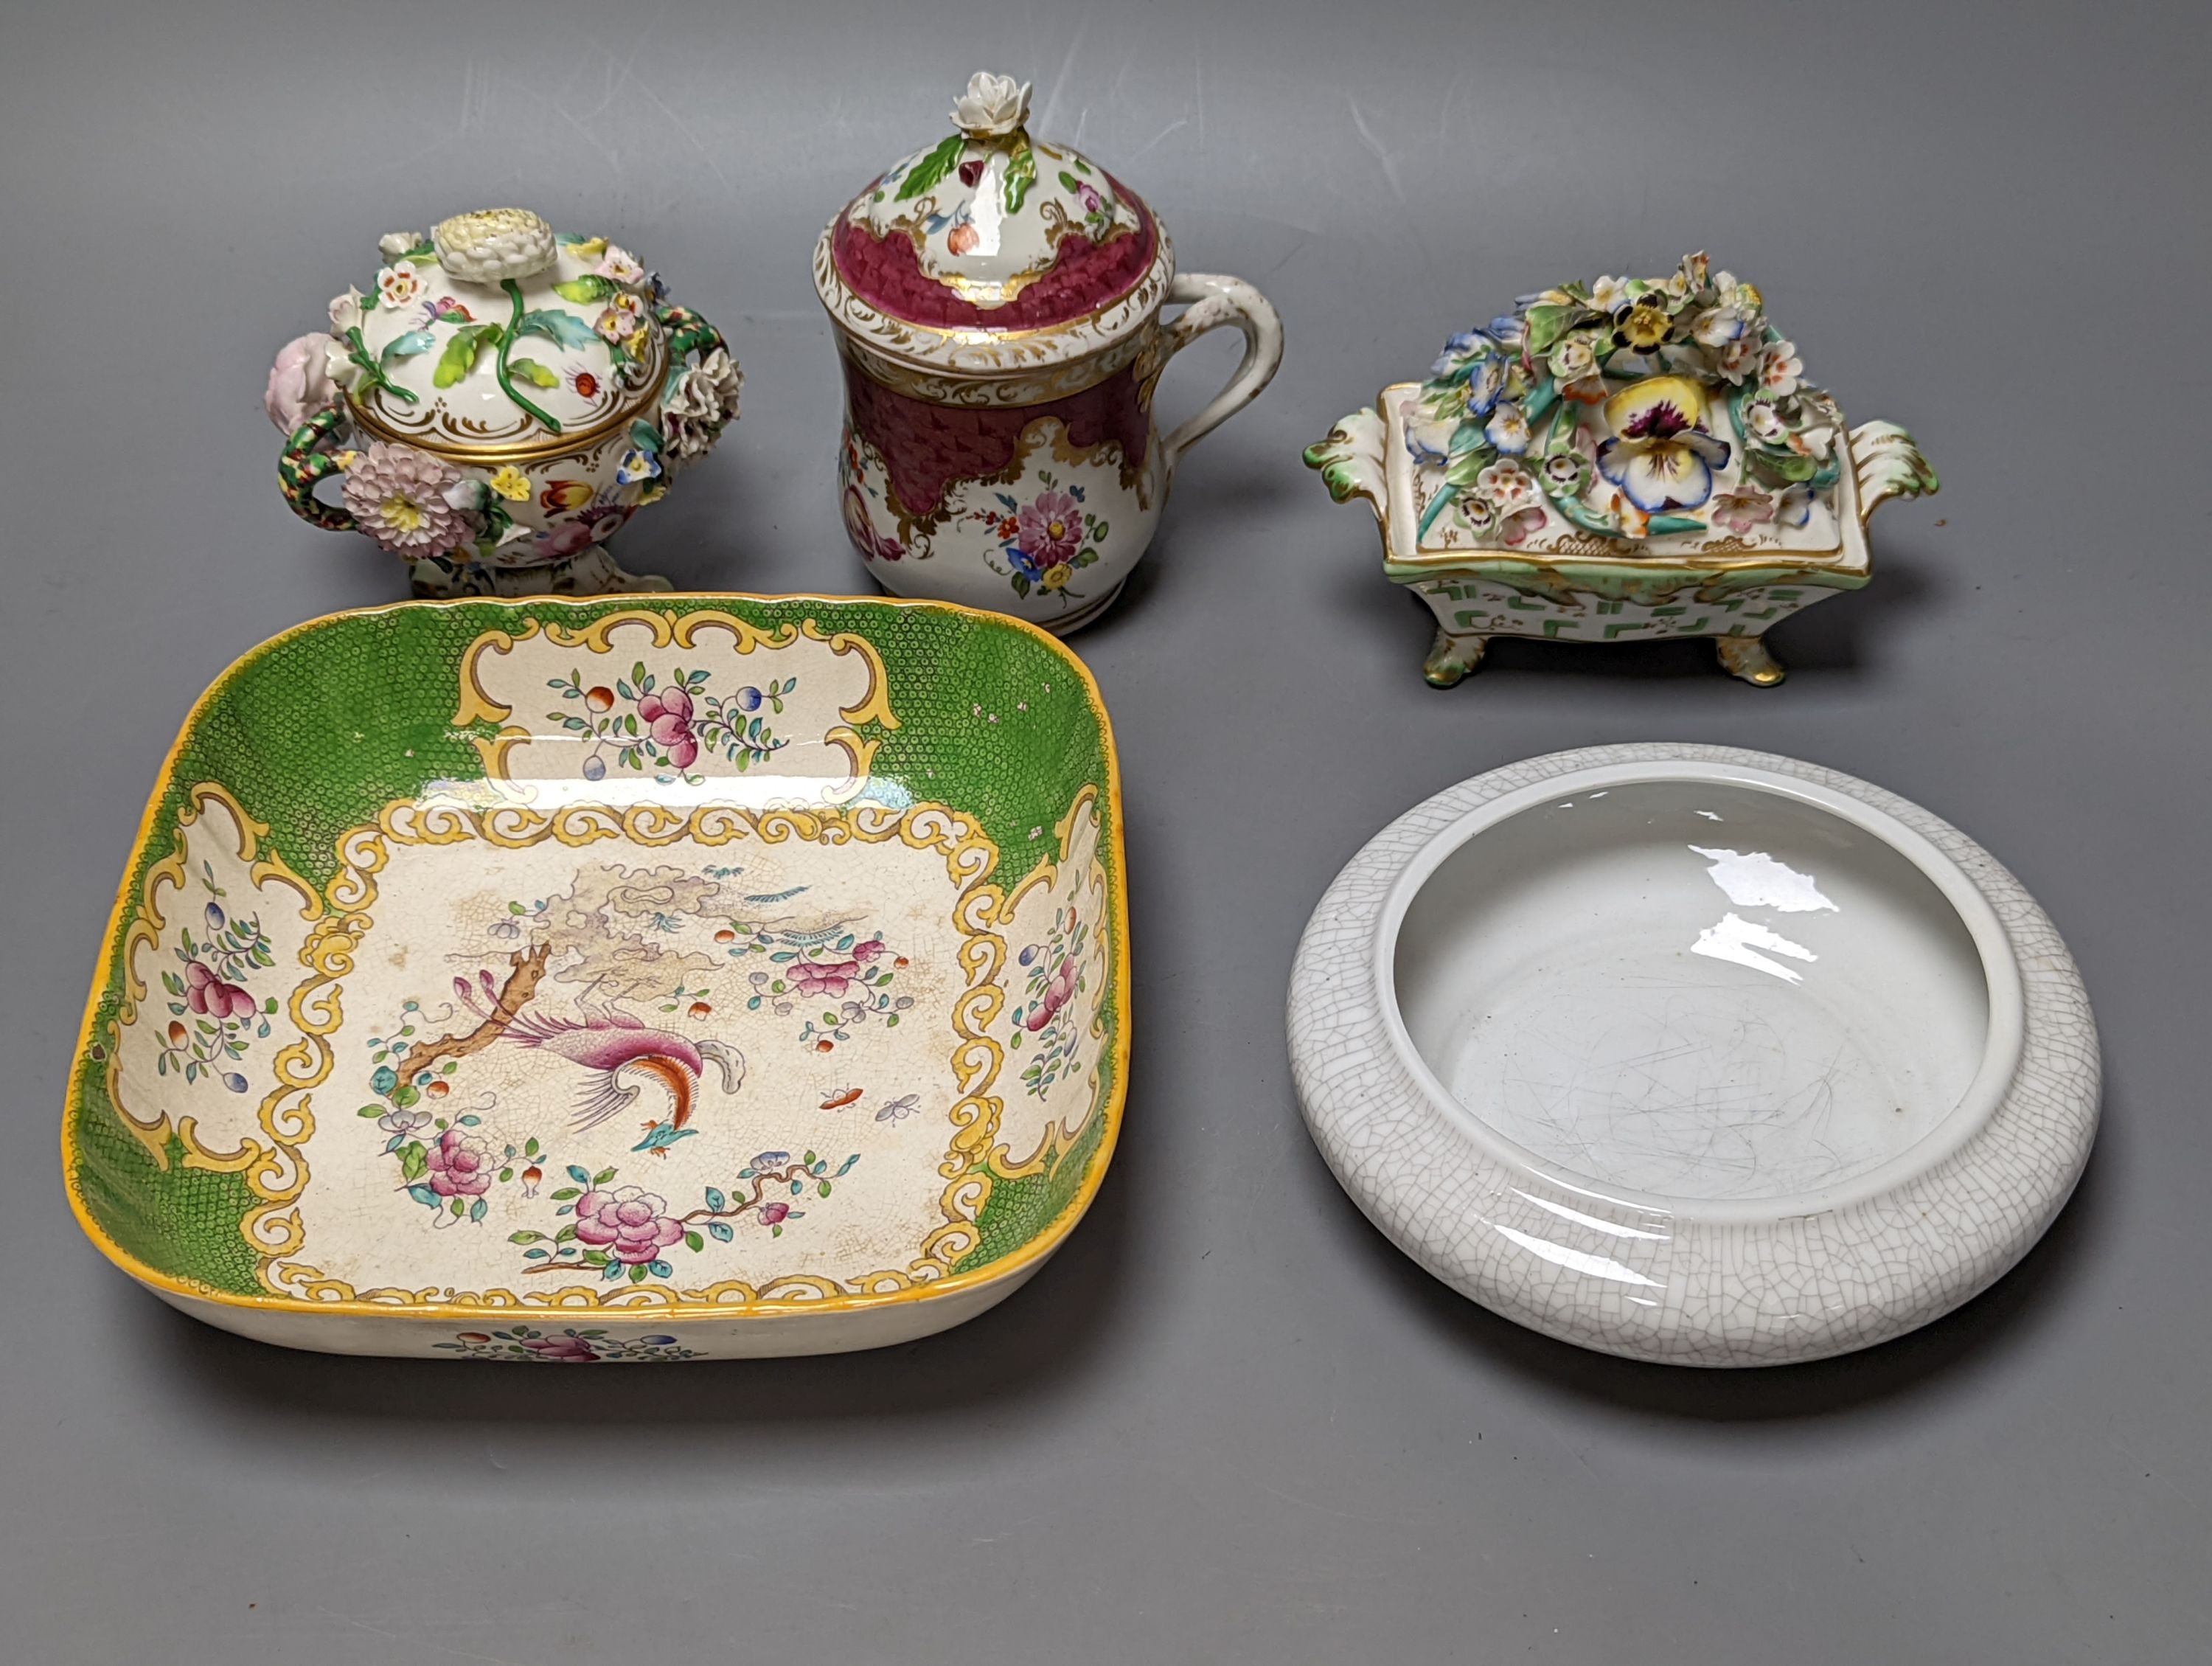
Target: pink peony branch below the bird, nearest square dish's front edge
(627, 1233)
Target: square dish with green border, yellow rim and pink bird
(589, 981)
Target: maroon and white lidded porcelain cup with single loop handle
(999, 315)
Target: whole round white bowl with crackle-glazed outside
(1693, 1056)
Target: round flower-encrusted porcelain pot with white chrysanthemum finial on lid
(499, 406)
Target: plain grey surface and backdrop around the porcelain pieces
(1229, 1424)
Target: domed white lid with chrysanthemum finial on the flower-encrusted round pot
(497, 335)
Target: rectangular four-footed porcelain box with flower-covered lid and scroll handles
(1620, 461)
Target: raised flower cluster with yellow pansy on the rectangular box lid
(1609, 399)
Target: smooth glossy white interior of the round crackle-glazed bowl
(1726, 990)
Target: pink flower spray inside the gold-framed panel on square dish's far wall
(671, 722)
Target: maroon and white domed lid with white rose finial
(988, 236)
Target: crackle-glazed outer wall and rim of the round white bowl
(1744, 1282)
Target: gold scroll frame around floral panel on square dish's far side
(682, 632)
